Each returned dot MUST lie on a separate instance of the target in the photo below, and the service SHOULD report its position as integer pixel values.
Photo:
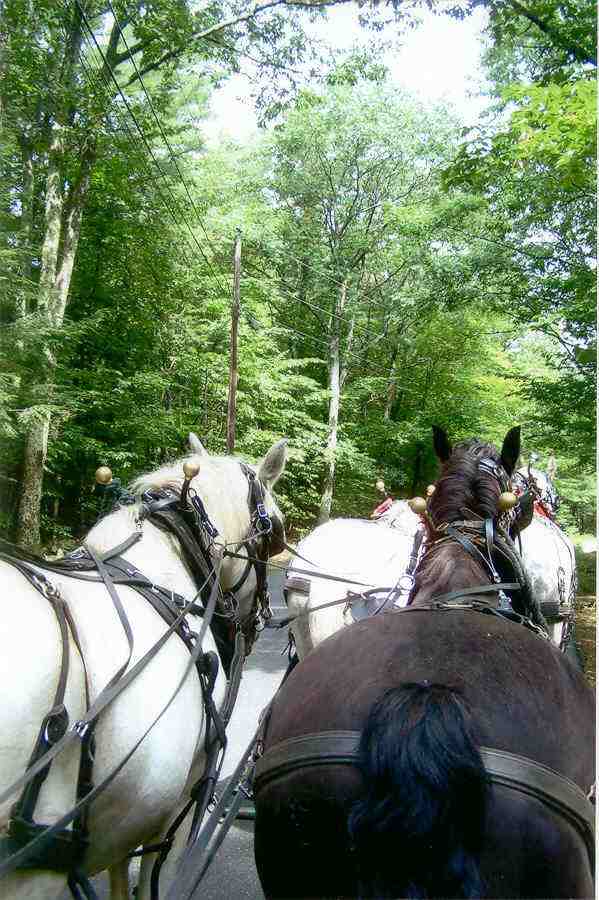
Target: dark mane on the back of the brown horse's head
(463, 487)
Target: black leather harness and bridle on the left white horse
(33, 845)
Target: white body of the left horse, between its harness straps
(142, 796)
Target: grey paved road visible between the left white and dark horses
(232, 875)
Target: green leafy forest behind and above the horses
(397, 268)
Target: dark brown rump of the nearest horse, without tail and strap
(524, 697)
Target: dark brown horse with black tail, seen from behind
(442, 750)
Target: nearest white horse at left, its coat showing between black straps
(145, 796)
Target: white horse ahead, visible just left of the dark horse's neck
(375, 554)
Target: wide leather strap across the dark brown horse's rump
(511, 770)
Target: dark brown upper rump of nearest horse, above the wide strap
(524, 695)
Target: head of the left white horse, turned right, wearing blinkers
(234, 520)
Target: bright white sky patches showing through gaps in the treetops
(439, 60)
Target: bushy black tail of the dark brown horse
(417, 831)
